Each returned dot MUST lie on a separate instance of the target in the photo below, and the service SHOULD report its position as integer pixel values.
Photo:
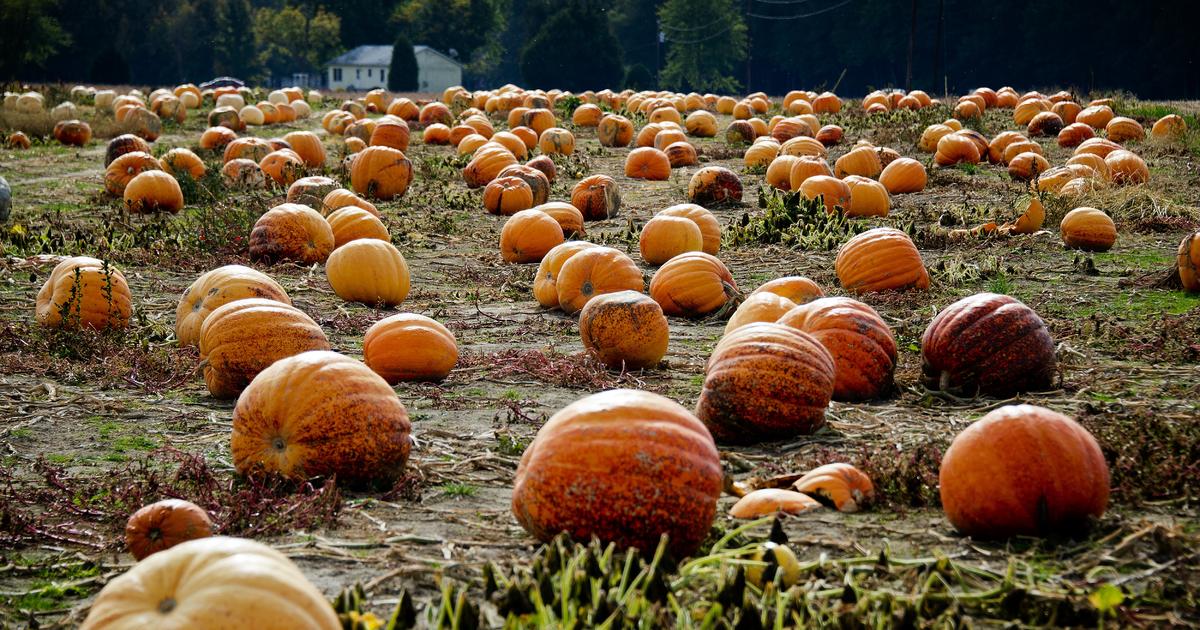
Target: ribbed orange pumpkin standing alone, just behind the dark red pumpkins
(880, 260)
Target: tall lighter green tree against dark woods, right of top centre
(706, 45)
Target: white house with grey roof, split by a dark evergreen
(367, 68)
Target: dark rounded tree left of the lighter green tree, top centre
(580, 26)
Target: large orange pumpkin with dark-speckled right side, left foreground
(321, 415)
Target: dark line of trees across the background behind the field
(730, 46)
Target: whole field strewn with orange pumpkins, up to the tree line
(515, 358)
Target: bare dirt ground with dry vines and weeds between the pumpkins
(91, 425)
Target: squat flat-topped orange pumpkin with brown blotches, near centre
(625, 331)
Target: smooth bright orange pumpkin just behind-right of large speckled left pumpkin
(410, 347)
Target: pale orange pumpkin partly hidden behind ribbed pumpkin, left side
(217, 289)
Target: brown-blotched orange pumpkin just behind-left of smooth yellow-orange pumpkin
(291, 232)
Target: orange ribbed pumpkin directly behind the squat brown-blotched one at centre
(595, 272)
